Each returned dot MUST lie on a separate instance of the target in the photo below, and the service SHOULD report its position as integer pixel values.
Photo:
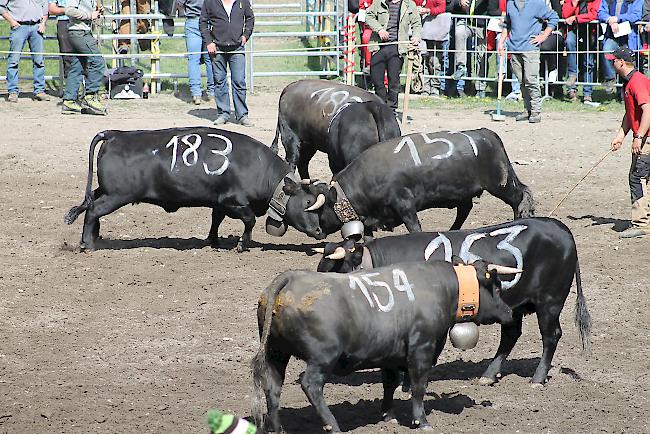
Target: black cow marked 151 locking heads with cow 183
(391, 181)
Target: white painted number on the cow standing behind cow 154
(468, 257)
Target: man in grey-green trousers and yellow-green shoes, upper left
(83, 13)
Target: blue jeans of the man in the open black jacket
(236, 61)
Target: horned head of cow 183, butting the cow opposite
(303, 209)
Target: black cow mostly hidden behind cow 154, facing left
(543, 247)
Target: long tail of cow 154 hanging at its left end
(259, 364)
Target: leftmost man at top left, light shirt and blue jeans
(27, 20)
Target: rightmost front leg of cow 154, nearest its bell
(420, 363)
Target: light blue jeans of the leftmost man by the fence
(17, 38)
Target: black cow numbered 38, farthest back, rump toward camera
(339, 120)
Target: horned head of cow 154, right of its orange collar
(492, 308)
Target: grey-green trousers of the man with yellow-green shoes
(83, 42)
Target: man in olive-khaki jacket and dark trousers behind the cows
(390, 21)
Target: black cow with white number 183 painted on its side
(233, 174)
